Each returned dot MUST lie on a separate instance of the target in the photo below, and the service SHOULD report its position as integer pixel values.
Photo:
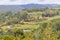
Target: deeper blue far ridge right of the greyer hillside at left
(40, 5)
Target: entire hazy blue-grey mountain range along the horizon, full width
(19, 7)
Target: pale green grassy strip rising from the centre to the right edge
(26, 26)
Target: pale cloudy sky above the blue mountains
(20, 2)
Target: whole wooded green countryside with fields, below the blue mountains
(30, 24)
